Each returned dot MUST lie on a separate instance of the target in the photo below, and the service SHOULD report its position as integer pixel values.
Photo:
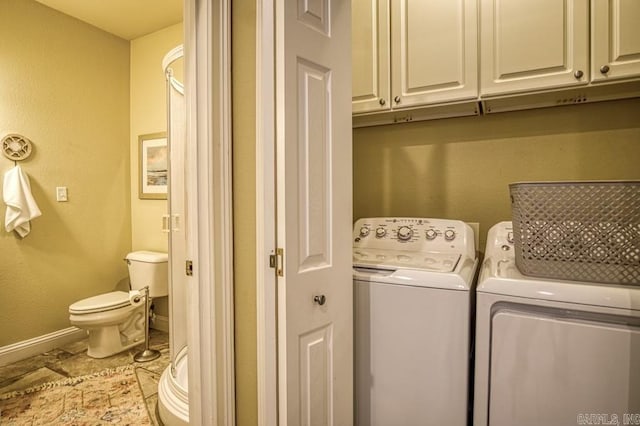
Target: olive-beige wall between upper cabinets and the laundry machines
(460, 168)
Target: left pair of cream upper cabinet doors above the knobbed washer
(433, 49)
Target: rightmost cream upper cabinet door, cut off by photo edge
(615, 39)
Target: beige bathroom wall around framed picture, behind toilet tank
(149, 115)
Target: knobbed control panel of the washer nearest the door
(414, 234)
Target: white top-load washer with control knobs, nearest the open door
(413, 282)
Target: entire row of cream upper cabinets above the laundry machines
(426, 59)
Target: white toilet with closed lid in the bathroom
(113, 323)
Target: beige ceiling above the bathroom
(127, 19)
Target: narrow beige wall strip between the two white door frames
(244, 176)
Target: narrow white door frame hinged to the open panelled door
(266, 291)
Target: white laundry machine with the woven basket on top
(552, 353)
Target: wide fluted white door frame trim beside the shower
(210, 296)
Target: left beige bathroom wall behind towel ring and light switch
(64, 85)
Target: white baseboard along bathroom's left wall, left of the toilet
(37, 345)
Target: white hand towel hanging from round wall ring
(21, 207)
